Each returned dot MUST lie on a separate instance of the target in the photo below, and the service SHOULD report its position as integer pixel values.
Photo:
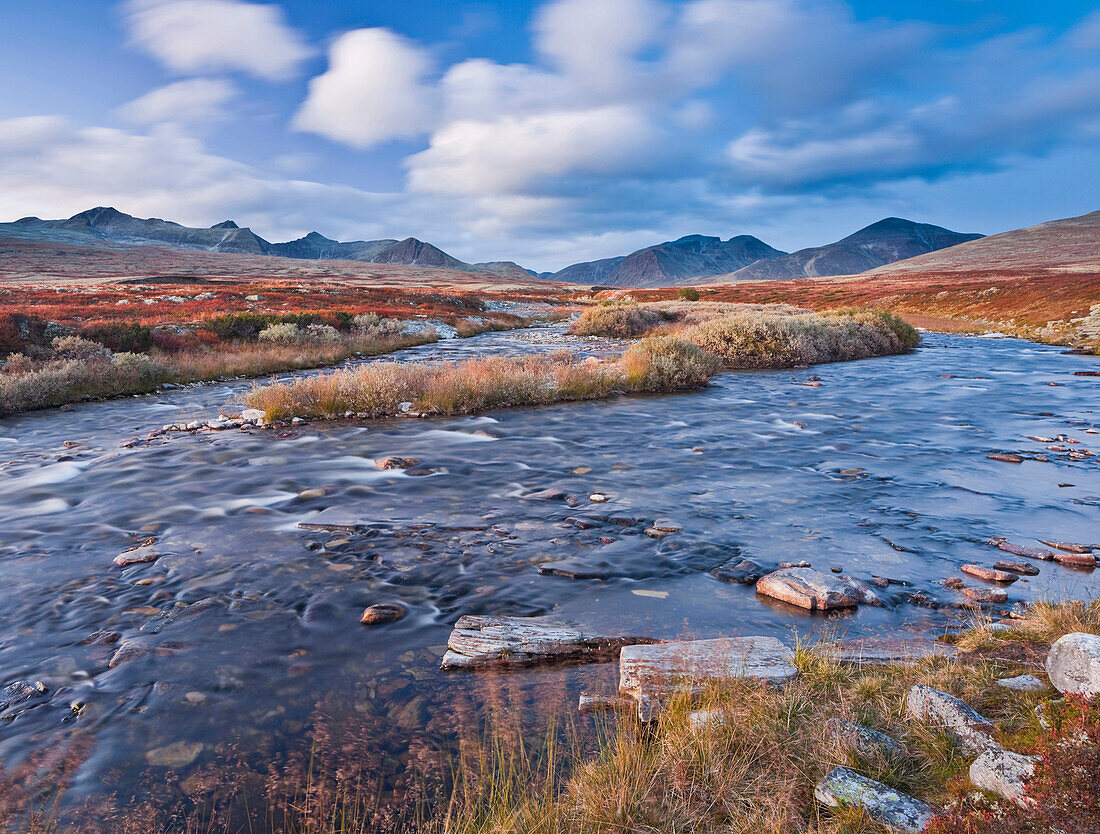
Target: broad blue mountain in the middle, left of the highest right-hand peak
(673, 264)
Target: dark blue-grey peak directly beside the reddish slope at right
(887, 242)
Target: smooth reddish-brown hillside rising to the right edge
(1061, 247)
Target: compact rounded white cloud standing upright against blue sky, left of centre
(373, 92)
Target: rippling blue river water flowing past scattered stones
(882, 470)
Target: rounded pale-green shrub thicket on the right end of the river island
(779, 341)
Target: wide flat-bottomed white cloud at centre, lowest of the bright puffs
(507, 156)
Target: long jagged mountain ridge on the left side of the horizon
(112, 226)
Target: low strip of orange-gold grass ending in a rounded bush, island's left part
(379, 390)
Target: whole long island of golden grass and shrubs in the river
(692, 347)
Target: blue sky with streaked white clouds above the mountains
(558, 131)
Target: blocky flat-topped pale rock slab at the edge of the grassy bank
(653, 673)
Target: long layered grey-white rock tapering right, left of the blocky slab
(482, 643)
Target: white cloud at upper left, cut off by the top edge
(194, 37)
